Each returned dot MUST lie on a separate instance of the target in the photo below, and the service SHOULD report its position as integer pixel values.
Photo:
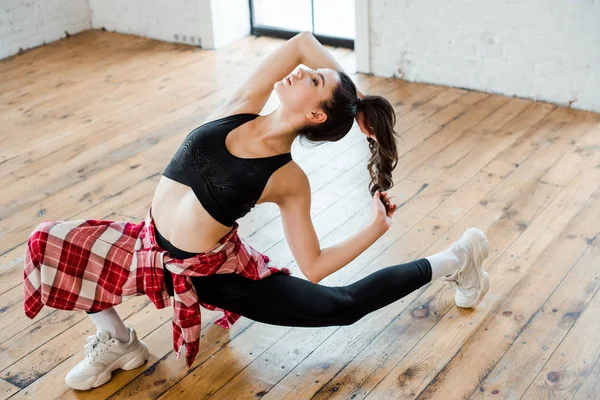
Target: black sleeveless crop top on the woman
(227, 186)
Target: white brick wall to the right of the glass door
(546, 50)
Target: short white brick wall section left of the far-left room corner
(29, 23)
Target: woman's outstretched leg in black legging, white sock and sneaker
(286, 300)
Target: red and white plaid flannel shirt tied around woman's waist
(92, 265)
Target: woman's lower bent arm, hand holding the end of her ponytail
(314, 262)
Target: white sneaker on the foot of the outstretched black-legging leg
(472, 282)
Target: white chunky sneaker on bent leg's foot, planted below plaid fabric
(103, 355)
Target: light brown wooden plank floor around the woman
(87, 125)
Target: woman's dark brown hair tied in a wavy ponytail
(341, 109)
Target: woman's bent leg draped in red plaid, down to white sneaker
(84, 265)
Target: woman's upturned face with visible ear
(304, 89)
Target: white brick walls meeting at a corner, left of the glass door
(210, 23)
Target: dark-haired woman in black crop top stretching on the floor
(188, 248)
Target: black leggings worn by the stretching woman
(289, 301)
